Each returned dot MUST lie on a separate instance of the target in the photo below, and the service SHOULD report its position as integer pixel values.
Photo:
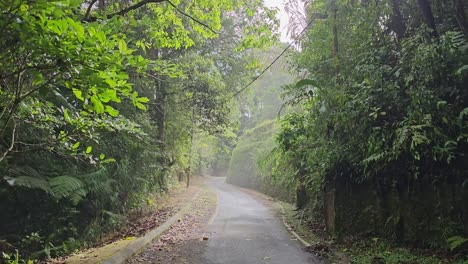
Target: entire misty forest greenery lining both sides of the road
(361, 122)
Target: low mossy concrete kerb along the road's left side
(141, 242)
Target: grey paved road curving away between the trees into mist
(247, 232)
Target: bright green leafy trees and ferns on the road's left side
(102, 104)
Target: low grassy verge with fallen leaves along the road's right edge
(359, 250)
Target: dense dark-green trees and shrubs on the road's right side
(379, 146)
